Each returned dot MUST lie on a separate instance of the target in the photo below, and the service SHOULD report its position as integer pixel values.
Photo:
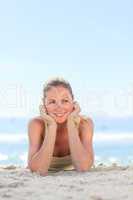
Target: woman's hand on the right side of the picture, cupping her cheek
(74, 116)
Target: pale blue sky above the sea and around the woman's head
(89, 43)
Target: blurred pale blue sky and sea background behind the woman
(90, 44)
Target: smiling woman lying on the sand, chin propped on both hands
(60, 137)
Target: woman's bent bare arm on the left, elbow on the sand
(40, 153)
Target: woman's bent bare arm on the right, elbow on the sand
(81, 147)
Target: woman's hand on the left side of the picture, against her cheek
(48, 120)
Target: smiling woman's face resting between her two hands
(59, 103)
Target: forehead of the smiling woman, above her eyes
(58, 91)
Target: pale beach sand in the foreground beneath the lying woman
(100, 183)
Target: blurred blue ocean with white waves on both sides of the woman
(113, 141)
